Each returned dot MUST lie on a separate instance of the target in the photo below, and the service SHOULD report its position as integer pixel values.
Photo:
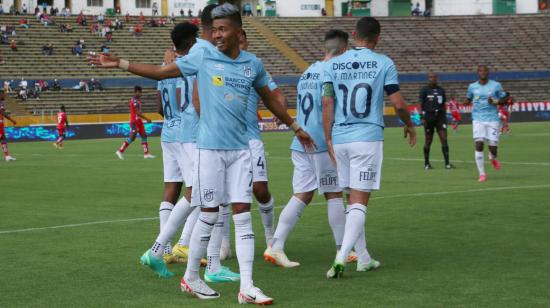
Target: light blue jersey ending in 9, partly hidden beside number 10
(309, 113)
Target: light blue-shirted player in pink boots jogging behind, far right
(485, 95)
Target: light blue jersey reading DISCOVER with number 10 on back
(359, 77)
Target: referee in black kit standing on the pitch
(434, 116)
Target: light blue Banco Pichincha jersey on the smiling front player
(224, 87)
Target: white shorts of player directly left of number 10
(314, 171)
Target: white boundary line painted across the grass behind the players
(438, 193)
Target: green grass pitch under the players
(443, 239)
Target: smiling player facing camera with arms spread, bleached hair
(223, 165)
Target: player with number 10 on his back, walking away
(353, 121)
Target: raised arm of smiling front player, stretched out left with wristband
(156, 72)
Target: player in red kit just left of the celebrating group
(136, 126)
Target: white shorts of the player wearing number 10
(359, 164)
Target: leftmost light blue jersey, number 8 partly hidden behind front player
(171, 110)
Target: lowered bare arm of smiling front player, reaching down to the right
(280, 112)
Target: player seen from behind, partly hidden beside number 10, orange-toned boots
(312, 171)
